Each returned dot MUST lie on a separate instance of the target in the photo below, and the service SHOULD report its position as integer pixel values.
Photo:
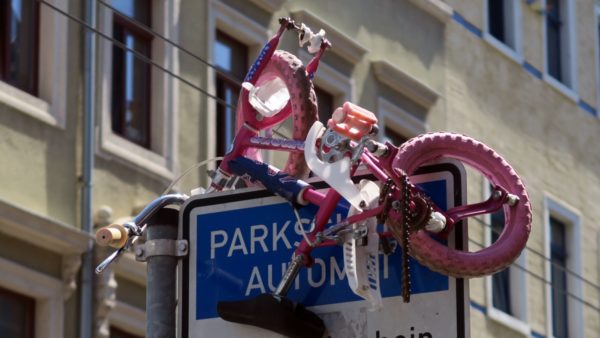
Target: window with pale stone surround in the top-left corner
(33, 59)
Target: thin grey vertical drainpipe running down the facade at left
(87, 275)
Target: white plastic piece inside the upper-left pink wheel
(269, 97)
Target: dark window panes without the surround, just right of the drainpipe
(131, 75)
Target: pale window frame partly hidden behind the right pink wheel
(519, 321)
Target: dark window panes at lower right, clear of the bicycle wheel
(558, 257)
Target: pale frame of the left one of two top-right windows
(515, 53)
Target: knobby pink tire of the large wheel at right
(438, 257)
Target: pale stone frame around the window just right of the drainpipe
(160, 158)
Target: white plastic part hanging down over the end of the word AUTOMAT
(362, 262)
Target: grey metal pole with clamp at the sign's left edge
(161, 276)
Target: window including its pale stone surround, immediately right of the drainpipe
(138, 100)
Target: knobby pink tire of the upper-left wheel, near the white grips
(303, 102)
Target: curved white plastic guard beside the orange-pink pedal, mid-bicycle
(336, 174)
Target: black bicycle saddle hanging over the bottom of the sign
(277, 314)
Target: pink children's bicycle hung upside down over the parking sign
(278, 86)
